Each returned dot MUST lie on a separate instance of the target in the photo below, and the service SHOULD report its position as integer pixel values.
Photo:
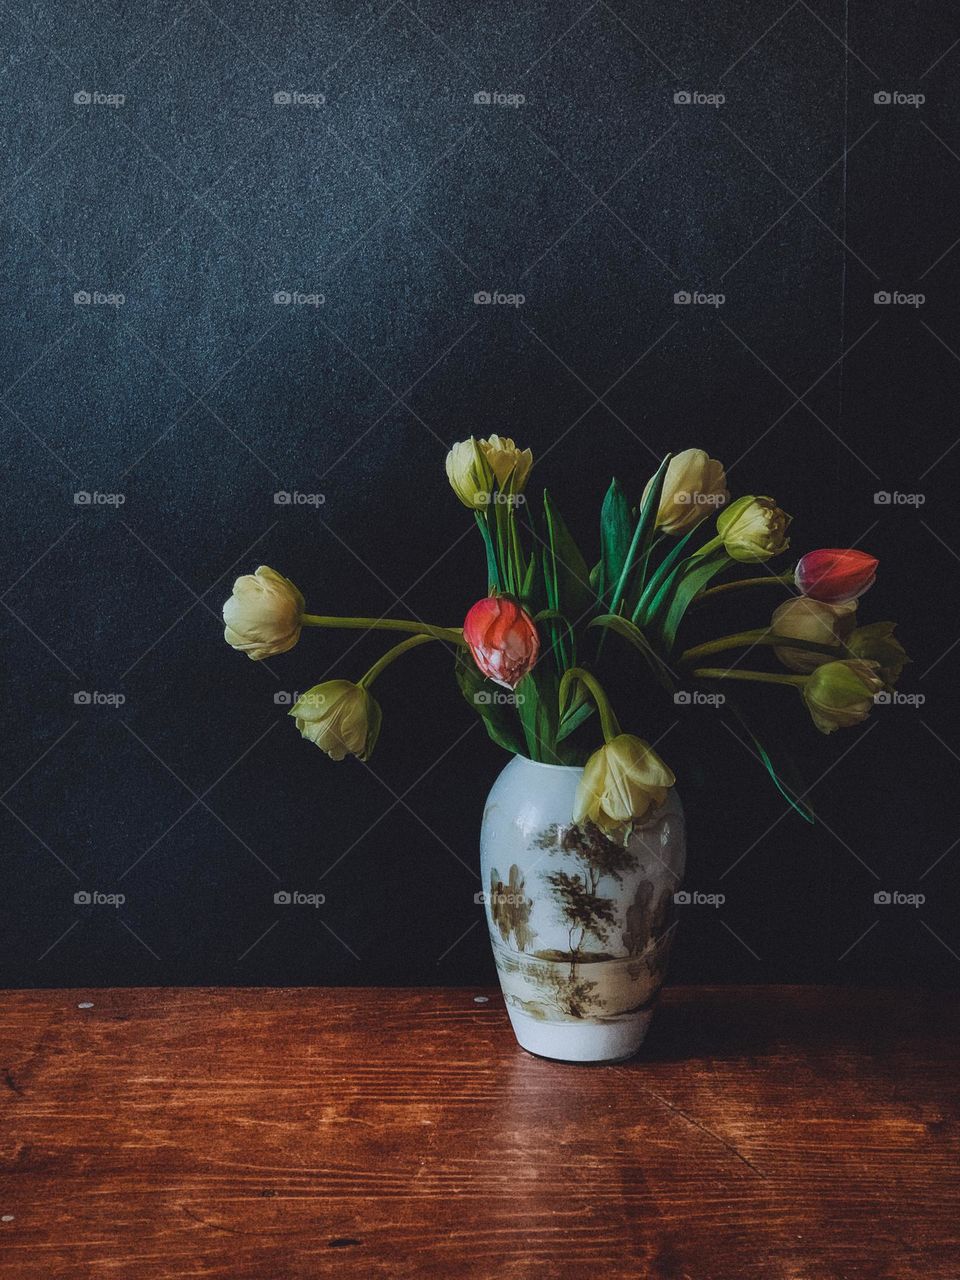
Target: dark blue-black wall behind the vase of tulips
(199, 397)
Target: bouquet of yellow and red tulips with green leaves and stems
(532, 656)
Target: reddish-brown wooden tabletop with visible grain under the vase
(783, 1133)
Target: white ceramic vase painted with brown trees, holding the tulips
(580, 922)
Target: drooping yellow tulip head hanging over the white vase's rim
(621, 783)
